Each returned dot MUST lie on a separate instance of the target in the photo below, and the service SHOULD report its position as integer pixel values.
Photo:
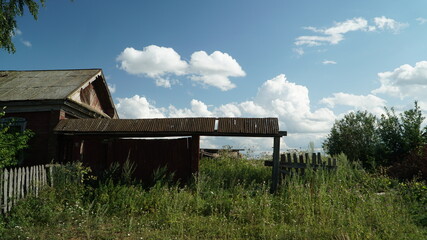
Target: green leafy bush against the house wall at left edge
(11, 143)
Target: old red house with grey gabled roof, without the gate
(38, 100)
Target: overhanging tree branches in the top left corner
(9, 9)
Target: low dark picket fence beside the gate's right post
(302, 161)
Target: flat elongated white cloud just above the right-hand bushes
(369, 102)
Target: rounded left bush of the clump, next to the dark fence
(355, 136)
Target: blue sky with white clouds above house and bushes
(305, 62)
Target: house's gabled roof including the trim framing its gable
(38, 85)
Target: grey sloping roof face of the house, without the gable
(42, 84)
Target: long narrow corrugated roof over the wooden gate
(172, 126)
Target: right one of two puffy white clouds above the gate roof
(215, 69)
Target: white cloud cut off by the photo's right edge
(405, 81)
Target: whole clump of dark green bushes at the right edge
(388, 140)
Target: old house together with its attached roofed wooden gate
(74, 118)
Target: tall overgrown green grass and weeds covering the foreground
(229, 199)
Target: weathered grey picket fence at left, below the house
(17, 183)
